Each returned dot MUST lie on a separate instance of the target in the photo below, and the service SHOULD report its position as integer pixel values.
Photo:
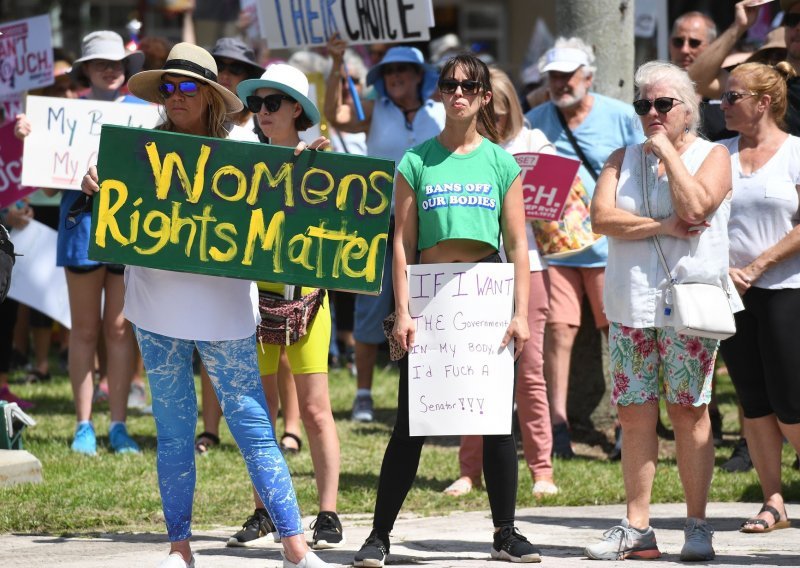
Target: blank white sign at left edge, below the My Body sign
(36, 281)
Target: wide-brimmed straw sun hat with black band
(186, 60)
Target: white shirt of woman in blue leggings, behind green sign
(192, 306)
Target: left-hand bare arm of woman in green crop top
(405, 250)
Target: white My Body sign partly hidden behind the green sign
(65, 137)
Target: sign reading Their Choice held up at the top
(291, 23)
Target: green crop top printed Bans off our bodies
(459, 196)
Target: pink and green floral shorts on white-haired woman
(637, 354)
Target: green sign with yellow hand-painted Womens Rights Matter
(241, 209)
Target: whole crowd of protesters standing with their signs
(316, 209)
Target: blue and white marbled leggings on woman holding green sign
(233, 368)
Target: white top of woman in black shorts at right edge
(765, 209)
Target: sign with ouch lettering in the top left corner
(26, 55)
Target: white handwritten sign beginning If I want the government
(459, 381)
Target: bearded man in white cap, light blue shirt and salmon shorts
(598, 125)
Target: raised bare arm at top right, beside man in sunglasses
(706, 71)
